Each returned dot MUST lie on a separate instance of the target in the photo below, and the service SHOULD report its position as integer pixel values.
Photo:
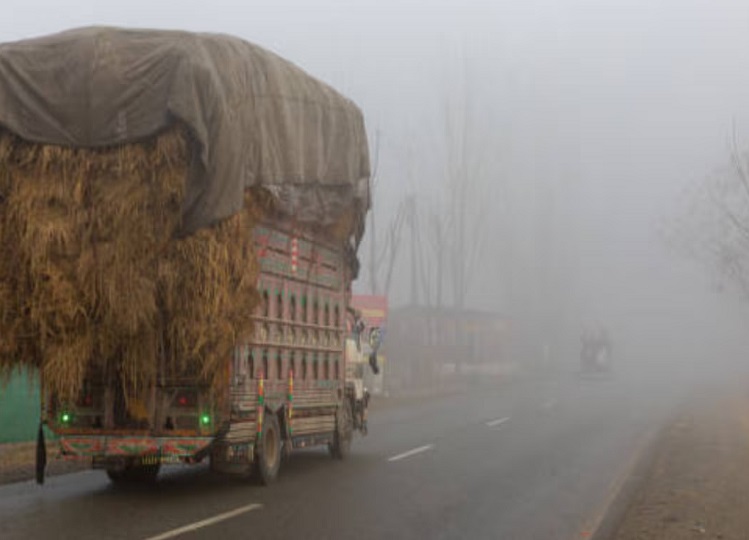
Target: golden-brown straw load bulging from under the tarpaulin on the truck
(92, 277)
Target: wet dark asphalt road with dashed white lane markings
(535, 459)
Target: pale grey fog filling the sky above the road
(583, 122)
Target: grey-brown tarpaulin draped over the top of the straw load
(259, 120)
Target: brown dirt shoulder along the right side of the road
(696, 484)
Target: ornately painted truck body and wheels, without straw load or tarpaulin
(287, 386)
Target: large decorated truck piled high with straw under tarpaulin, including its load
(179, 220)
